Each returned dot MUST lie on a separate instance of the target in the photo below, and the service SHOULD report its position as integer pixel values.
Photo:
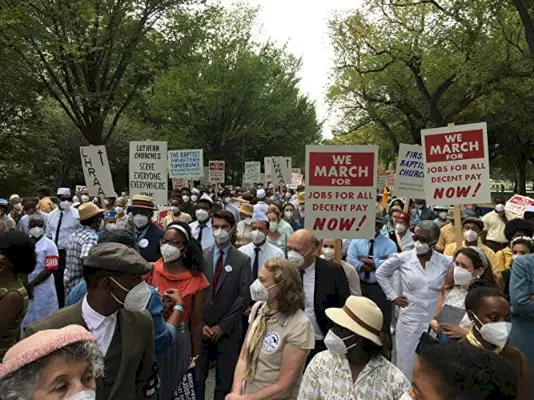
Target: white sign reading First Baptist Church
(410, 173)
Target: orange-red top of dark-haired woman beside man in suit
(187, 283)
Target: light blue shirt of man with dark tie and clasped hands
(382, 250)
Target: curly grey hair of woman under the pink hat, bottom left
(22, 384)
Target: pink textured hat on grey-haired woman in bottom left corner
(41, 344)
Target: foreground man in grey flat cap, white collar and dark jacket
(114, 312)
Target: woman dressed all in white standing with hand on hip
(422, 272)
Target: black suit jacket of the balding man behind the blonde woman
(331, 290)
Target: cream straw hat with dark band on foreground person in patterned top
(359, 315)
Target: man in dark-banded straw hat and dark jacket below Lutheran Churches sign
(147, 233)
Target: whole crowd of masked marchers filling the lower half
(111, 298)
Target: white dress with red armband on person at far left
(44, 300)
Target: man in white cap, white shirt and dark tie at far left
(62, 222)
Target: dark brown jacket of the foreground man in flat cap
(137, 341)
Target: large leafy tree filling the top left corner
(92, 56)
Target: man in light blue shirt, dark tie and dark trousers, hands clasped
(367, 255)
